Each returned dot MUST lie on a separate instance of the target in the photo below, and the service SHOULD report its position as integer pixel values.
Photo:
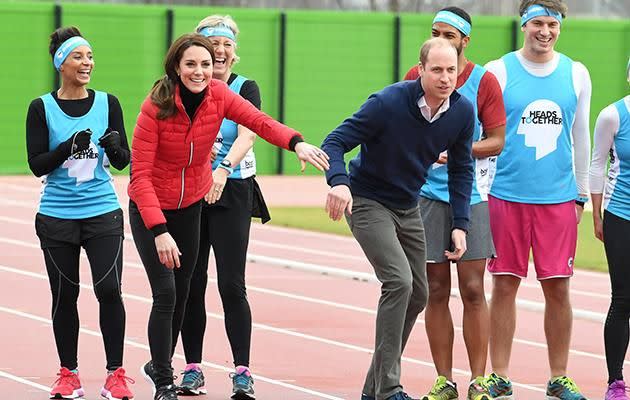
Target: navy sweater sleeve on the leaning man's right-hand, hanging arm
(460, 171)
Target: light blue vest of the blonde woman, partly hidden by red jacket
(226, 137)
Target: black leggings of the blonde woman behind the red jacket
(226, 230)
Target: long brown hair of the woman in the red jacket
(163, 91)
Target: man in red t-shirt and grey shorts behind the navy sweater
(484, 92)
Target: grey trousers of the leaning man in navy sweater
(394, 243)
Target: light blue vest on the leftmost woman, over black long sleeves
(82, 186)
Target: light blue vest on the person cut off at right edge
(617, 198)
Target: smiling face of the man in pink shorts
(541, 34)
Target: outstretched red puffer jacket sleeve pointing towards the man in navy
(244, 113)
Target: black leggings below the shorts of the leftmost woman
(62, 263)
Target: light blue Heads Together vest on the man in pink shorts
(536, 164)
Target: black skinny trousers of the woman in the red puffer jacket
(168, 286)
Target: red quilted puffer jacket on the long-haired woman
(170, 158)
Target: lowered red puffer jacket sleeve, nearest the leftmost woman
(143, 149)
